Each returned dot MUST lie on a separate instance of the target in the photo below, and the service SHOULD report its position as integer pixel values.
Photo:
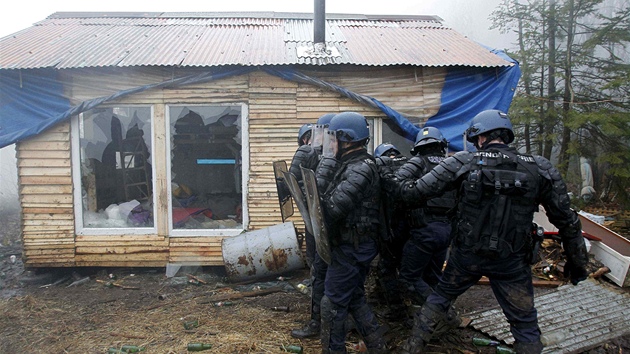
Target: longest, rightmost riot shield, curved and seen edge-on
(322, 240)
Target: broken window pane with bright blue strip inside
(206, 169)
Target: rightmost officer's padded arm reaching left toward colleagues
(440, 178)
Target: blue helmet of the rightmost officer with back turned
(491, 122)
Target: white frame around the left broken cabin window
(80, 229)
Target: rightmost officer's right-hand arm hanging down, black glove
(555, 200)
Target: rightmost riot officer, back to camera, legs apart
(500, 191)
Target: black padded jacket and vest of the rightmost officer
(499, 176)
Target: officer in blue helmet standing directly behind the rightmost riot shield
(350, 182)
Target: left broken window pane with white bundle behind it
(115, 167)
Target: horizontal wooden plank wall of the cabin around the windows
(276, 109)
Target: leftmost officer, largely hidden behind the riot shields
(309, 156)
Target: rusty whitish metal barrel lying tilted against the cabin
(262, 253)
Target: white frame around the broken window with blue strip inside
(244, 175)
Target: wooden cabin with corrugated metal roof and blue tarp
(144, 139)
